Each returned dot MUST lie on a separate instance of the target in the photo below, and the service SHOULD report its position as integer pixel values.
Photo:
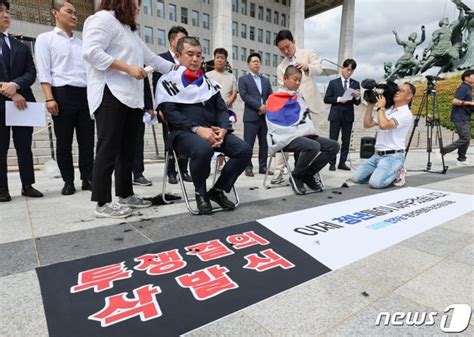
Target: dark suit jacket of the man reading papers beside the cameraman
(342, 112)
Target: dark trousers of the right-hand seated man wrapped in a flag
(312, 153)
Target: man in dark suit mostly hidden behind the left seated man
(174, 34)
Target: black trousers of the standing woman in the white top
(117, 126)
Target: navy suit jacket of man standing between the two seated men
(252, 98)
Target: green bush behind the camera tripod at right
(445, 94)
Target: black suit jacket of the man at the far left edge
(22, 69)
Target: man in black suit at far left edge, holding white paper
(17, 74)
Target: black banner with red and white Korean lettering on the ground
(171, 287)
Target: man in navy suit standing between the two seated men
(254, 90)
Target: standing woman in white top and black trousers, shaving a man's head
(114, 56)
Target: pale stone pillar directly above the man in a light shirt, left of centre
(221, 26)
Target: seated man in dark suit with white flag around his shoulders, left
(199, 125)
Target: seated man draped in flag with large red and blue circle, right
(291, 129)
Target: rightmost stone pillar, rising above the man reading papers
(346, 36)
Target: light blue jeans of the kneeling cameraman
(379, 171)
